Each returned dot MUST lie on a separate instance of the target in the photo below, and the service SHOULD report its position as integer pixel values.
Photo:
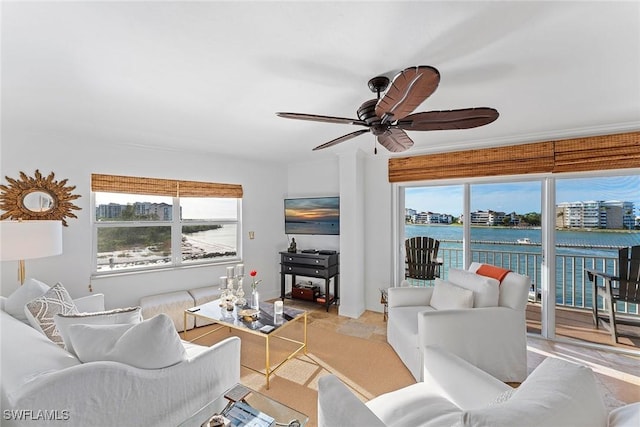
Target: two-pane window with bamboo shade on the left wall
(144, 223)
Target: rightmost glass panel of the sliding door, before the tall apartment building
(595, 217)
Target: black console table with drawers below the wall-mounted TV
(316, 265)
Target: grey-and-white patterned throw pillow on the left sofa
(42, 310)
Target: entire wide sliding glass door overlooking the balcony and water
(550, 228)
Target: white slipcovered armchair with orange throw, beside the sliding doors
(493, 338)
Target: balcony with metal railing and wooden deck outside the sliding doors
(574, 318)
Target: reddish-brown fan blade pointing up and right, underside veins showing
(407, 91)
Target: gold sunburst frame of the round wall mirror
(56, 197)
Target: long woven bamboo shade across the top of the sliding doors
(618, 151)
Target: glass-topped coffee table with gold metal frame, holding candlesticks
(267, 325)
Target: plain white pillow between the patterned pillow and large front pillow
(129, 315)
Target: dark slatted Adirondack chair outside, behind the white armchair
(421, 260)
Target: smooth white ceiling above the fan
(209, 76)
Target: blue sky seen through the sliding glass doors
(522, 197)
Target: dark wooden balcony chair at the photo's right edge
(625, 287)
